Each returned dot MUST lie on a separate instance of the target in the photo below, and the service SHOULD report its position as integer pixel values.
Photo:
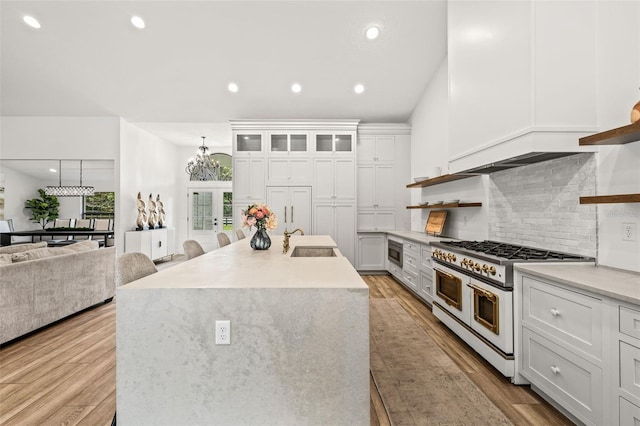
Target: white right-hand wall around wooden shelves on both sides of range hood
(618, 62)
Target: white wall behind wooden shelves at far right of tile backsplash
(619, 166)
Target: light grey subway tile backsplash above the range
(539, 205)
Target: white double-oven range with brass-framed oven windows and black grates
(473, 283)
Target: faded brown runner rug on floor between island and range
(418, 382)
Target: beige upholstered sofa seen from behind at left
(43, 285)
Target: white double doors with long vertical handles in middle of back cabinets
(292, 206)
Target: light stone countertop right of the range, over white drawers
(615, 283)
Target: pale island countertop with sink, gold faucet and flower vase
(239, 266)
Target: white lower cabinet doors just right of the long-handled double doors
(338, 221)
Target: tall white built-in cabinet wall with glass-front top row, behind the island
(306, 172)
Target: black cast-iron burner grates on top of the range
(512, 251)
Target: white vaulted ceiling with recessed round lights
(88, 60)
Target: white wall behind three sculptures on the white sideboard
(149, 165)
